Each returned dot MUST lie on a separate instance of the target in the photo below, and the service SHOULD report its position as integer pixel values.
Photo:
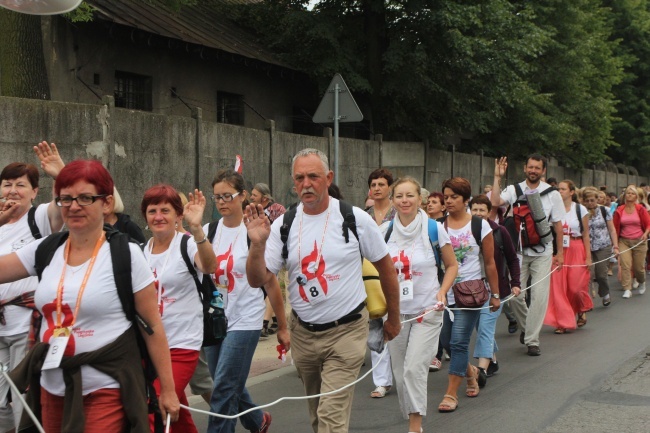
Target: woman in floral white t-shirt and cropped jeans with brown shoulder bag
(457, 192)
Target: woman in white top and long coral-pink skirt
(569, 293)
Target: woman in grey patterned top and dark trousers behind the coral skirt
(603, 240)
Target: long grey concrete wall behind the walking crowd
(142, 149)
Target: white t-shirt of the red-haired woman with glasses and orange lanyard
(101, 318)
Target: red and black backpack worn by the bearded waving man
(522, 225)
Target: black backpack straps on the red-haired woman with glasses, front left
(121, 258)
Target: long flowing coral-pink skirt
(569, 292)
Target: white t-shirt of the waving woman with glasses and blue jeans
(245, 305)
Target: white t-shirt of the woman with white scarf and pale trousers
(419, 265)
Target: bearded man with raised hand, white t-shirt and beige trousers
(536, 264)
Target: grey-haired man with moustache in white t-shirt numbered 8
(329, 323)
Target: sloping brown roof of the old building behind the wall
(198, 24)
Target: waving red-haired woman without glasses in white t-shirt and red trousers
(179, 302)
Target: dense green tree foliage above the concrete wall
(518, 75)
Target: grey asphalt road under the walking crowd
(529, 394)
